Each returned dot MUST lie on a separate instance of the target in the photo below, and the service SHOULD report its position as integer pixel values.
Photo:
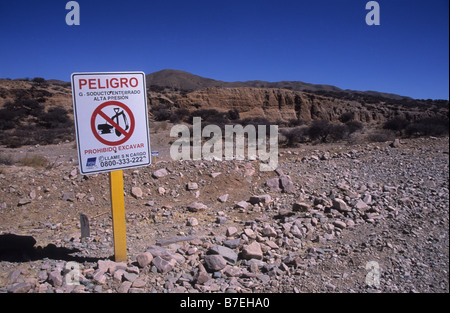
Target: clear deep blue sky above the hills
(315, 41)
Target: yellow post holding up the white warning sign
(118, 215)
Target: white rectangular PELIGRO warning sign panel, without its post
(110, 113)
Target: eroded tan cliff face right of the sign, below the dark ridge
(283, 104)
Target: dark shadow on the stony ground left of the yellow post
(18, 248)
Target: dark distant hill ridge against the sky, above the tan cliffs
(180, 80)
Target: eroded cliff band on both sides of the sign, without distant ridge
(274, 104)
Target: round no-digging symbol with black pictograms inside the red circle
(113, 123)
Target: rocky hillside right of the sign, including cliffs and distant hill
(283, 101)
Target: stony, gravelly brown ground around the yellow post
(332, 218)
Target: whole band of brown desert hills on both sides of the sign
(40, 111)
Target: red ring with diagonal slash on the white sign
(98, 111)
